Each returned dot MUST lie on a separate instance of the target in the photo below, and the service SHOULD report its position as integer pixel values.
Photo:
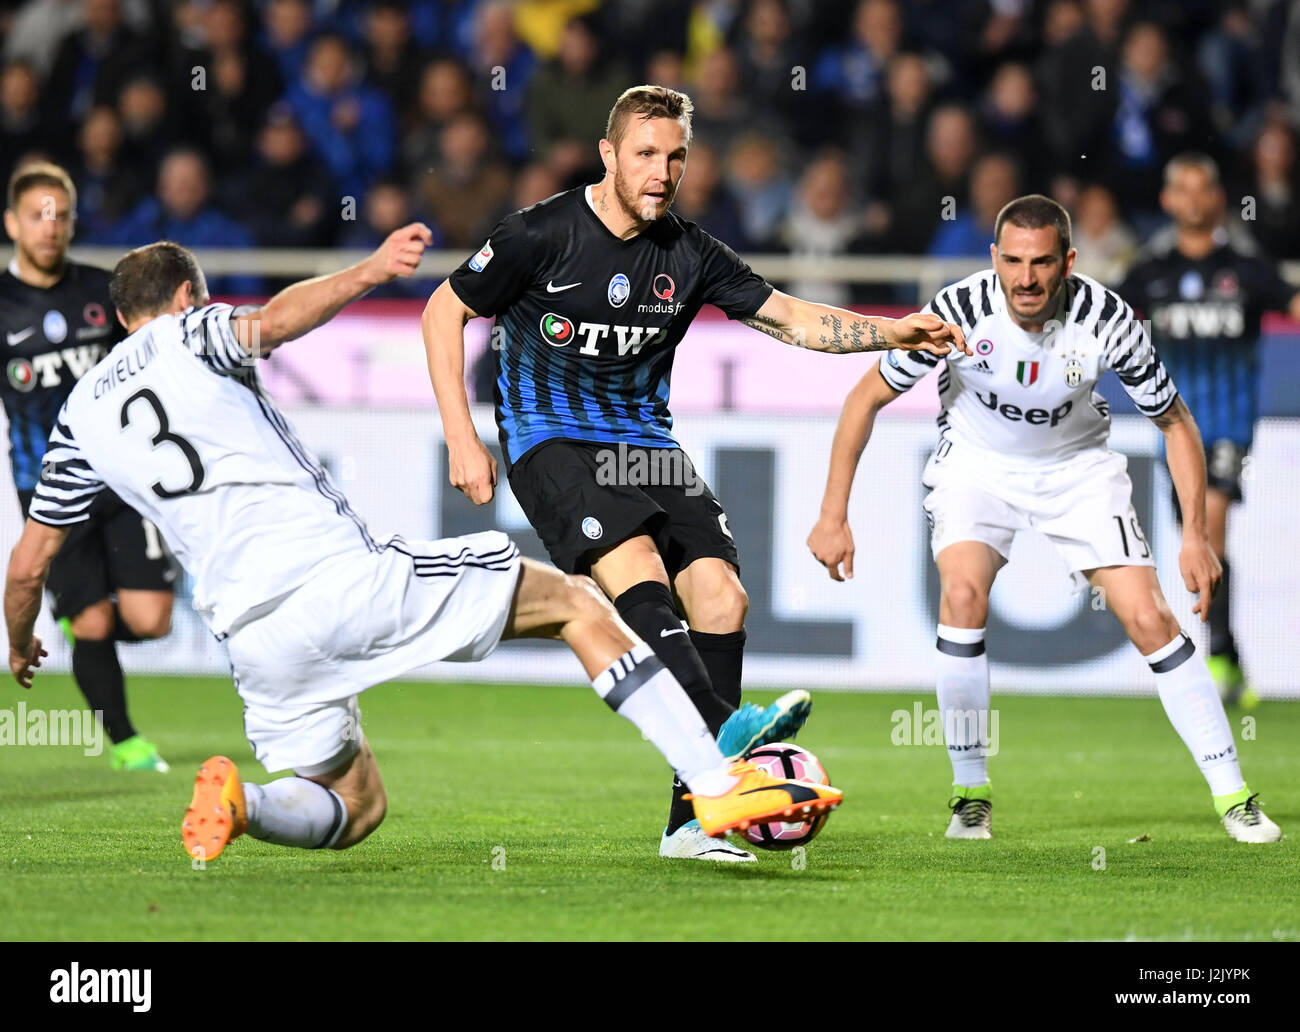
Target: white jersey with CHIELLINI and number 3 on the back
(176, 422)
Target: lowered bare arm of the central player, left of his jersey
(471, 467)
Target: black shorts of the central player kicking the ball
(584, 498)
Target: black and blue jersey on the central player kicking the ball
(587, 324)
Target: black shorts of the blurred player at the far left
(116, 548)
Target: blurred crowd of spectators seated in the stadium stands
(821, 128)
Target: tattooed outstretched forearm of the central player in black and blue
(840, 332)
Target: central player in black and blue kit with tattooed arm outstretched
(592, 292)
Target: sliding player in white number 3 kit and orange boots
(311, 608)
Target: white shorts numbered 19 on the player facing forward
(1085, 509)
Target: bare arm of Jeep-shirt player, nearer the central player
(831, 540)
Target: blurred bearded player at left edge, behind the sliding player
(114, 580)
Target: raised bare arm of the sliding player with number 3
(305, 306)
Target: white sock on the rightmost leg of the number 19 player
(1195, 710)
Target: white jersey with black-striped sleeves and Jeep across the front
(1029, 398)
